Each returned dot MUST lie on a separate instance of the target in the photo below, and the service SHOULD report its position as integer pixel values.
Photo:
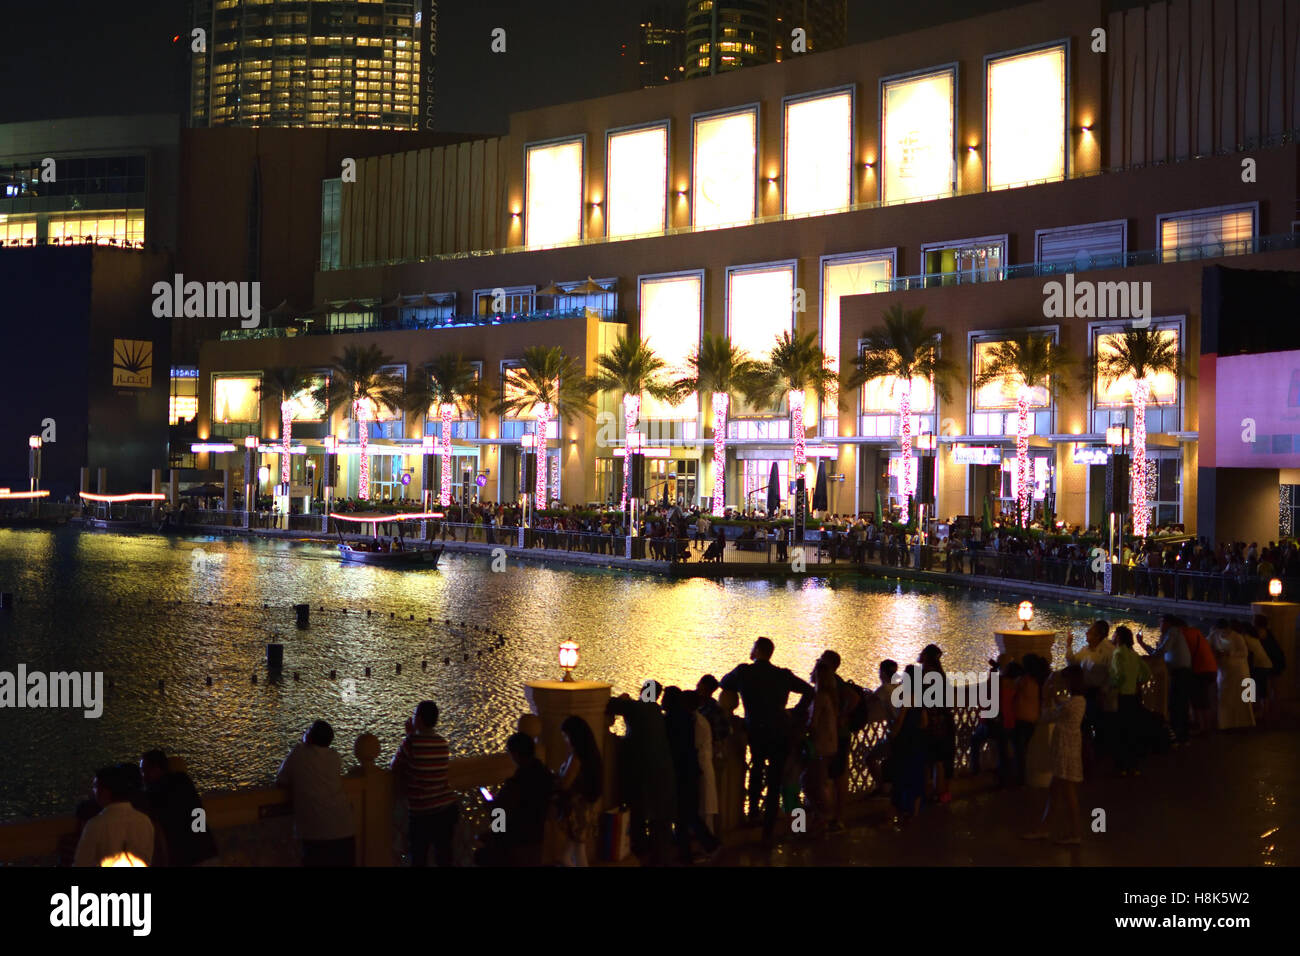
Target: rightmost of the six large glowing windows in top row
(1026, 118)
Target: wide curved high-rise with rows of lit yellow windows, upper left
(348, 64)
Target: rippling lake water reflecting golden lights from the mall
(96, 602)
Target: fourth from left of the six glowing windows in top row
(820, 153)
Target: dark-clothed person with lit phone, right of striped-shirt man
(525, 798)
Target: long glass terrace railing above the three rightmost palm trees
(1119, 261)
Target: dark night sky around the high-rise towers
(90, 58)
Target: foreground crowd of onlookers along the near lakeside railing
(682, 755)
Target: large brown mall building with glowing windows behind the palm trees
(960, 170)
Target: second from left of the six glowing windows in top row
(638, 166)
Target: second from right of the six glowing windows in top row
(917, 136)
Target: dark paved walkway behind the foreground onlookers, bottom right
(1227, 801)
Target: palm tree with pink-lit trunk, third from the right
(904, 348)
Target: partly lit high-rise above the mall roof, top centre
(747, 33)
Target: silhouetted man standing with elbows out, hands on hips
(765, 690)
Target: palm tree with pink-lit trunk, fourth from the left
(548, 383)
